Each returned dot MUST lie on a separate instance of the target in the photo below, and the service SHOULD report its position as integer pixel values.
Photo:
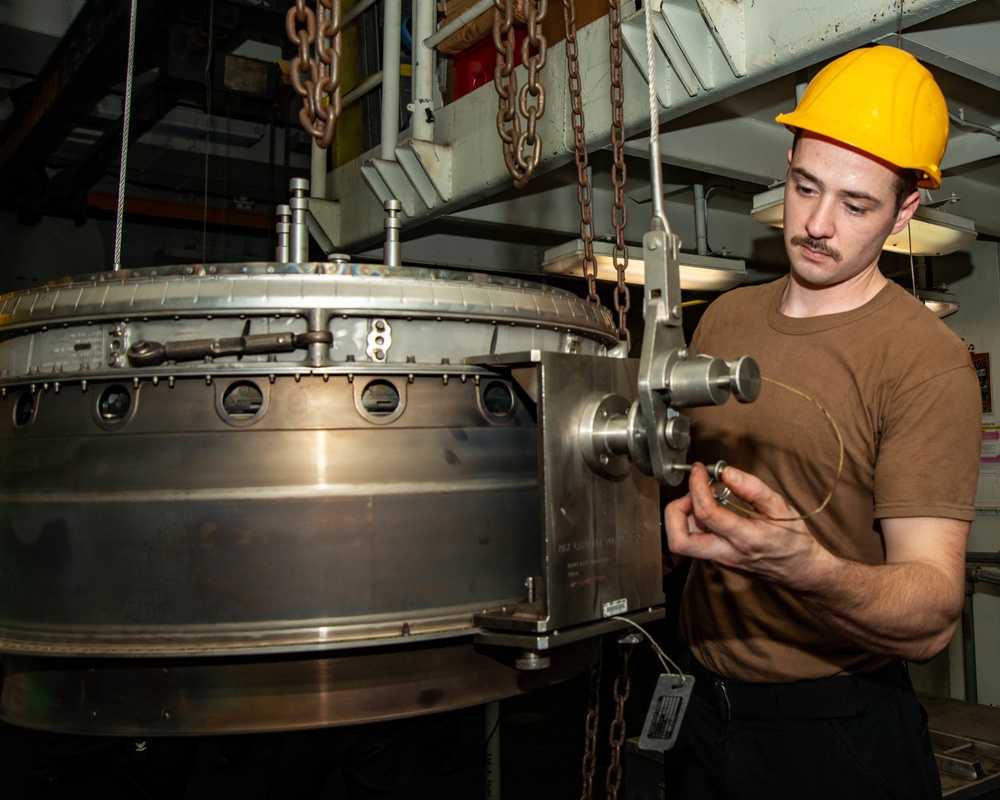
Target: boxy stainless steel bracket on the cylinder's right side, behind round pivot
(599, 554)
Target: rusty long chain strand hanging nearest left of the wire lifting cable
(619, 213)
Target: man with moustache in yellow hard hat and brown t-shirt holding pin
(797, 628)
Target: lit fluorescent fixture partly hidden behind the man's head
(931, 232)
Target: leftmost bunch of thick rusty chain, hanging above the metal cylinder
(317, 35)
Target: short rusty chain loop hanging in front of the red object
(514, 103)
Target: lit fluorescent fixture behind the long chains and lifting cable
(698, 273)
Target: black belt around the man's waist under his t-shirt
(827, 698)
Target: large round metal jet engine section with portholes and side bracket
(225, 507)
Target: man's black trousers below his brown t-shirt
(882, 752)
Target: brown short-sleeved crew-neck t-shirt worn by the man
(902, 390)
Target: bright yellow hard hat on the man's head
(882, 101)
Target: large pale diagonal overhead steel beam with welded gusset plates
(716, 48)
